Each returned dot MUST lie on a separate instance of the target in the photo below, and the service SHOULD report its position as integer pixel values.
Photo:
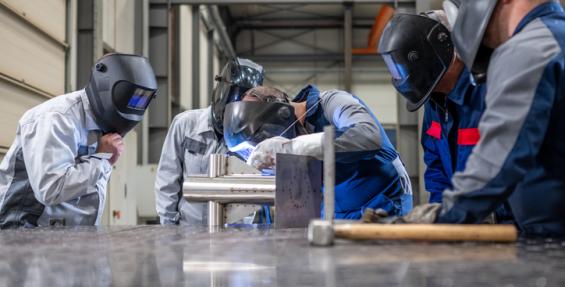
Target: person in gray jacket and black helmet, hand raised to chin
(57, 169)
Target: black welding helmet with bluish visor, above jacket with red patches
(417, 50)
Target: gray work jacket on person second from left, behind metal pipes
(190, 142)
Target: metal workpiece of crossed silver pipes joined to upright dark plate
(295, 191)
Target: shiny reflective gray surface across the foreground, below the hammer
(189, 256)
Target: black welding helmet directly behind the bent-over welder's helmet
(237, 76)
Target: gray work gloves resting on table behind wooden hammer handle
(421, 214)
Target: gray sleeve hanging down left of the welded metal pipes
(169, 179)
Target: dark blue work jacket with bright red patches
(450, 131)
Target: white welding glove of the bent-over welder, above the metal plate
(263, 157)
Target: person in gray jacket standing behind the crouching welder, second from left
(193, 136)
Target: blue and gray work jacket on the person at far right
(521, 154)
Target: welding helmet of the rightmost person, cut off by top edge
(469, 30)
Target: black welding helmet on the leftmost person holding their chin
(121, 87)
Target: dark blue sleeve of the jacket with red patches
(435, 177)
